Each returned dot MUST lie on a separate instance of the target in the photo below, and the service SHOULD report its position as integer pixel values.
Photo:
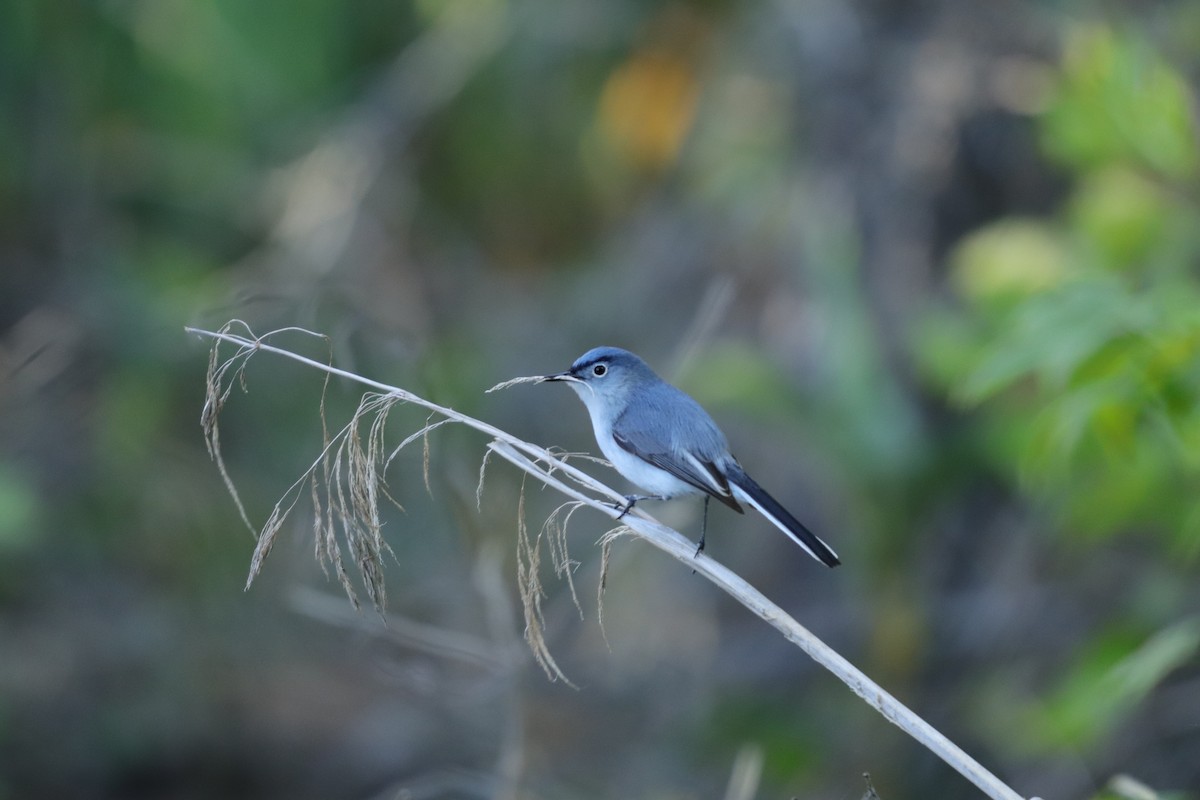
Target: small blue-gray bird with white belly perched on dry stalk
(664, 442)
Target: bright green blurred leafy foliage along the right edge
(1077, 346)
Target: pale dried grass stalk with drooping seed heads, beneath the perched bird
(351, 507)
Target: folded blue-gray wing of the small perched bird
(674, 434)
